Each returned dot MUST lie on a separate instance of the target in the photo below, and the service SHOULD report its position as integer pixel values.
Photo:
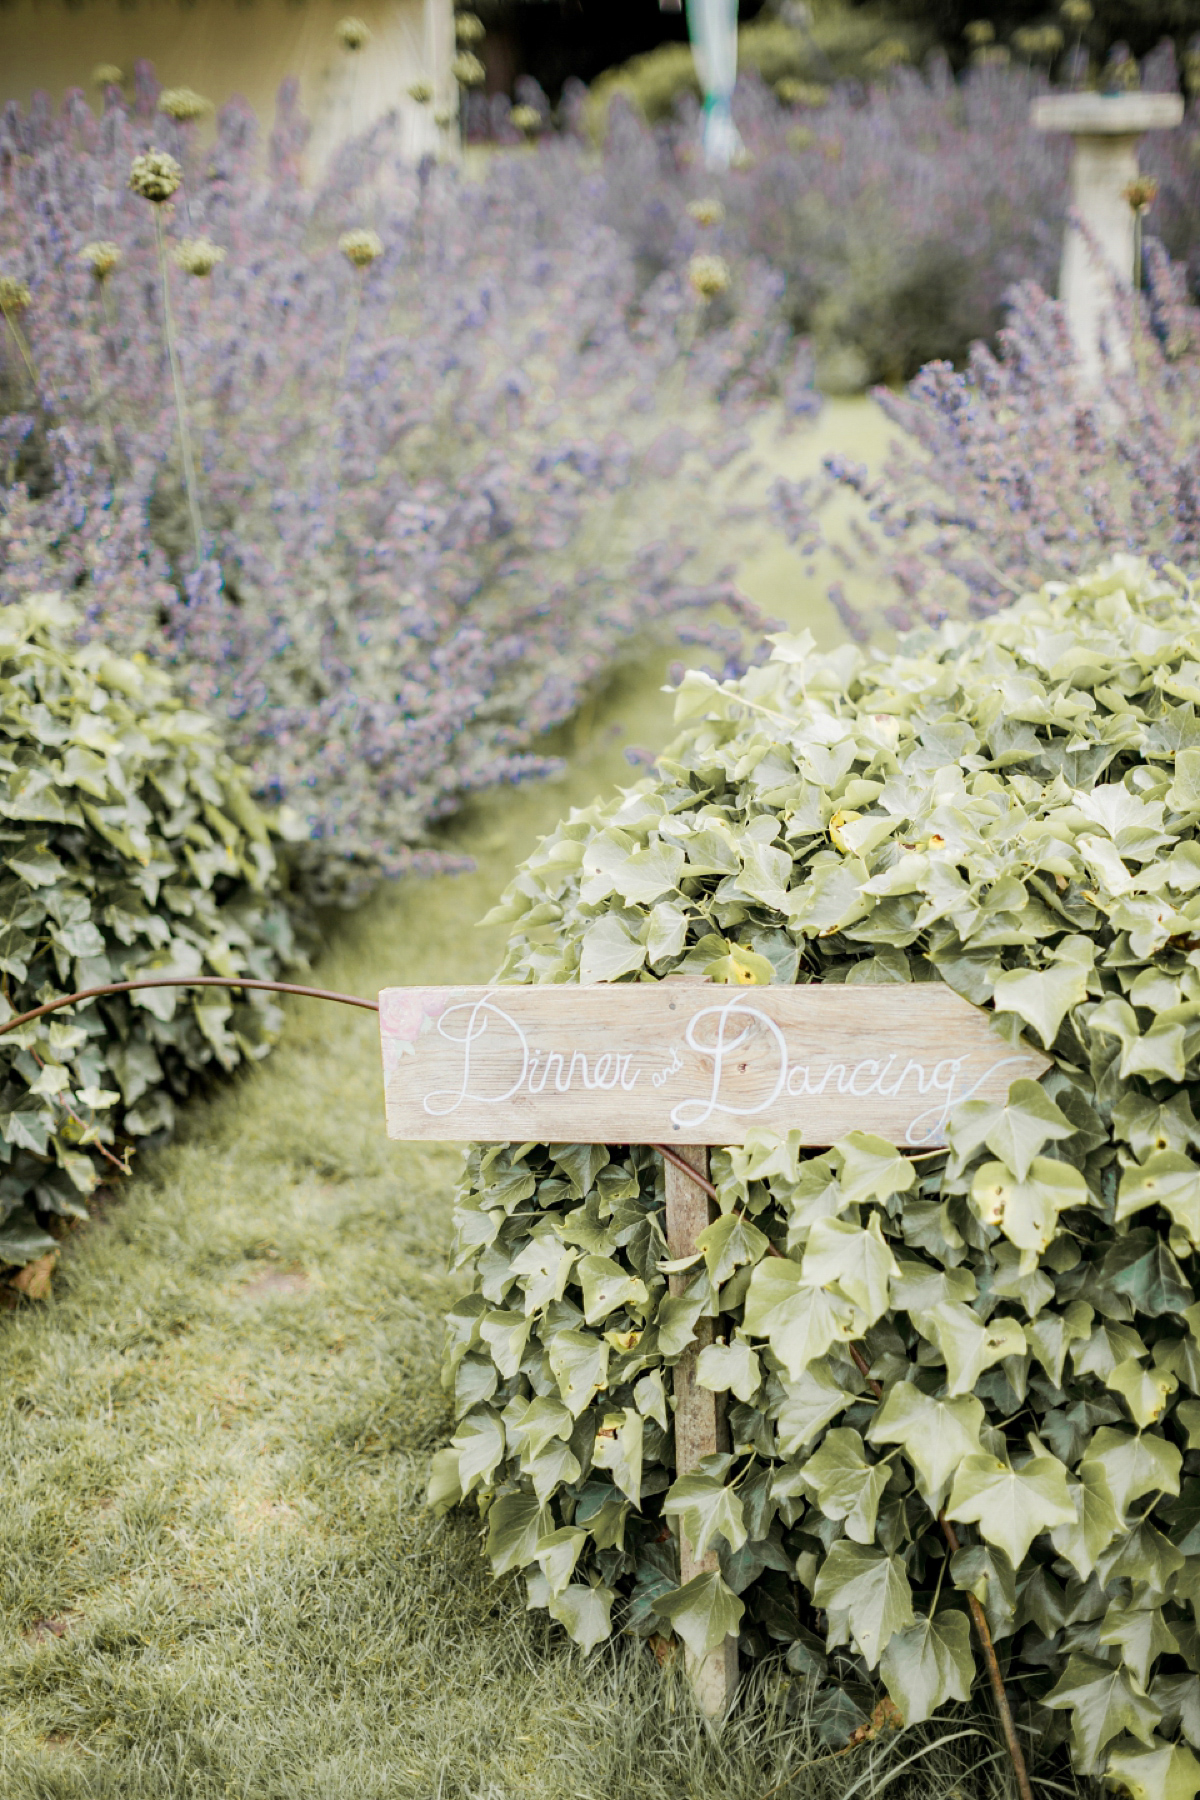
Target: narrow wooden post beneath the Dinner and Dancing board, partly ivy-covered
(699, 1419)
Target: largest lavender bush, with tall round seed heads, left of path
(418, 456)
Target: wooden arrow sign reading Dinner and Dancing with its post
(683, 1066)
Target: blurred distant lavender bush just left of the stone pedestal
(899, 215)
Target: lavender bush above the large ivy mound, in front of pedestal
(1019, 469)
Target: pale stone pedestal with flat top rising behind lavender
(1107, 130)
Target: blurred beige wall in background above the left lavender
(226, 48)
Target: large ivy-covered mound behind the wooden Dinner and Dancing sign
(1014, 809)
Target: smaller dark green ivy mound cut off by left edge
(130, 850)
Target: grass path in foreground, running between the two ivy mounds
(217, 1574)
